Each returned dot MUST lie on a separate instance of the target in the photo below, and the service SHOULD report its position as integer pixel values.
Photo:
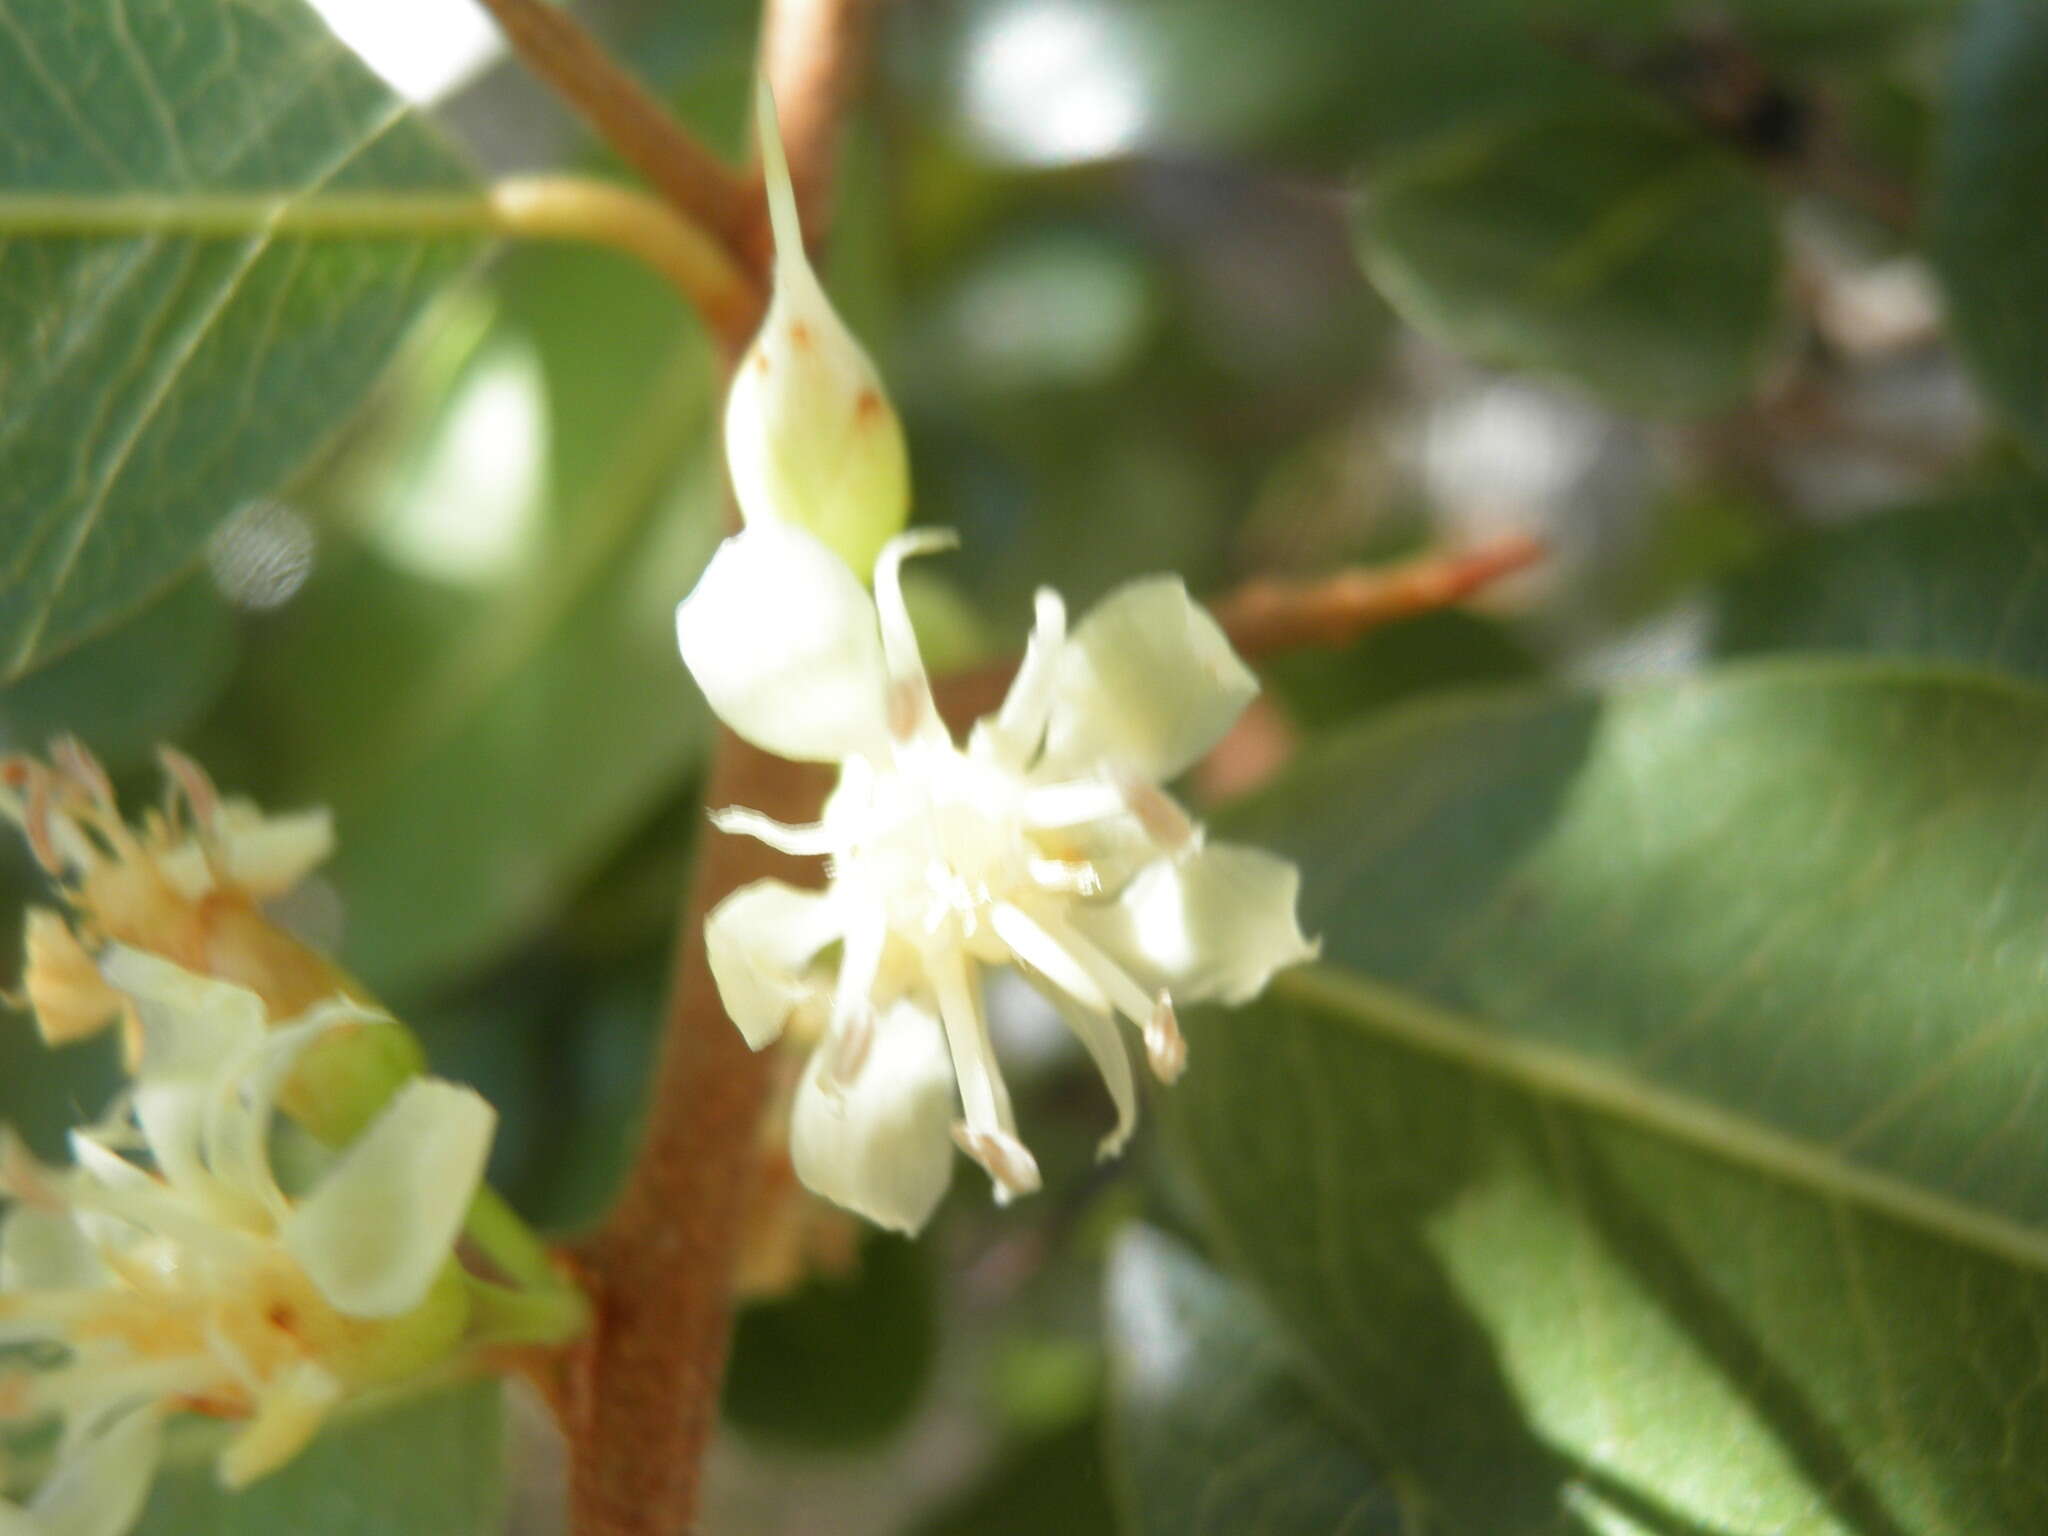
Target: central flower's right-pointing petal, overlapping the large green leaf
(1215, 925)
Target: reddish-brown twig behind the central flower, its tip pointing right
(1267, 615)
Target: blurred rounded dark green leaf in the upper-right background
(1590, 237)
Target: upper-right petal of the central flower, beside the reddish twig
(1148, 683)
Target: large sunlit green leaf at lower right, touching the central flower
(1658, 1146)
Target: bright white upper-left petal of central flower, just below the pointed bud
(783, 640)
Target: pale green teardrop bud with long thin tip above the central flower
(810, 435)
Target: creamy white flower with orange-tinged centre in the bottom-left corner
(173, 1271)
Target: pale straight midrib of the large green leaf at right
(1596, 1089)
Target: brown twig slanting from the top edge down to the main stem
(632, 122)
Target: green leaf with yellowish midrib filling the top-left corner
(173, 339)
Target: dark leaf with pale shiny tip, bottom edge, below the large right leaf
(1213, 1431)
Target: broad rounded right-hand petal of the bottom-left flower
(380, 1228)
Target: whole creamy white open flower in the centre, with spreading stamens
(1046, 845)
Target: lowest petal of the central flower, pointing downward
(882, 1144)
